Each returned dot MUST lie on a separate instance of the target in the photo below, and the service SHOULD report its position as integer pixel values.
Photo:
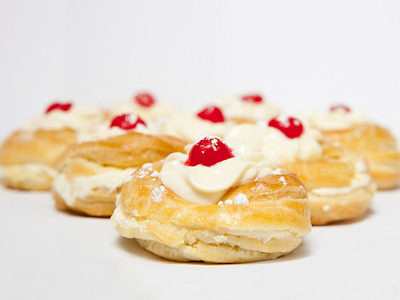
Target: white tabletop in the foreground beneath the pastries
(48, 254)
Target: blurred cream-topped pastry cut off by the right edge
(350, 129)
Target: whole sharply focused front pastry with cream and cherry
(213, 205)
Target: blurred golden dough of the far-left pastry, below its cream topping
(28, 159)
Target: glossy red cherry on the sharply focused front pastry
(208, 152)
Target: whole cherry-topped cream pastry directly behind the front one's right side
(337, 180)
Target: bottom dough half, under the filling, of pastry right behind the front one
(332, 208)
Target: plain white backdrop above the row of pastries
(299, 53)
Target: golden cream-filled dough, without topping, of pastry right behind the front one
(338, 188)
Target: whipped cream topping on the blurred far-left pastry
(77, 118)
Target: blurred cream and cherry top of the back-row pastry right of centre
(248, 108)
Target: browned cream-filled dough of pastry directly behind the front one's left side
(91, 173)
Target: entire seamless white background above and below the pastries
(299, 53)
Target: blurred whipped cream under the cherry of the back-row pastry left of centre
(152, 113)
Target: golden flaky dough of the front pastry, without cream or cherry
(273, 224)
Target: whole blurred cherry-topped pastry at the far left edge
(29, 155)
